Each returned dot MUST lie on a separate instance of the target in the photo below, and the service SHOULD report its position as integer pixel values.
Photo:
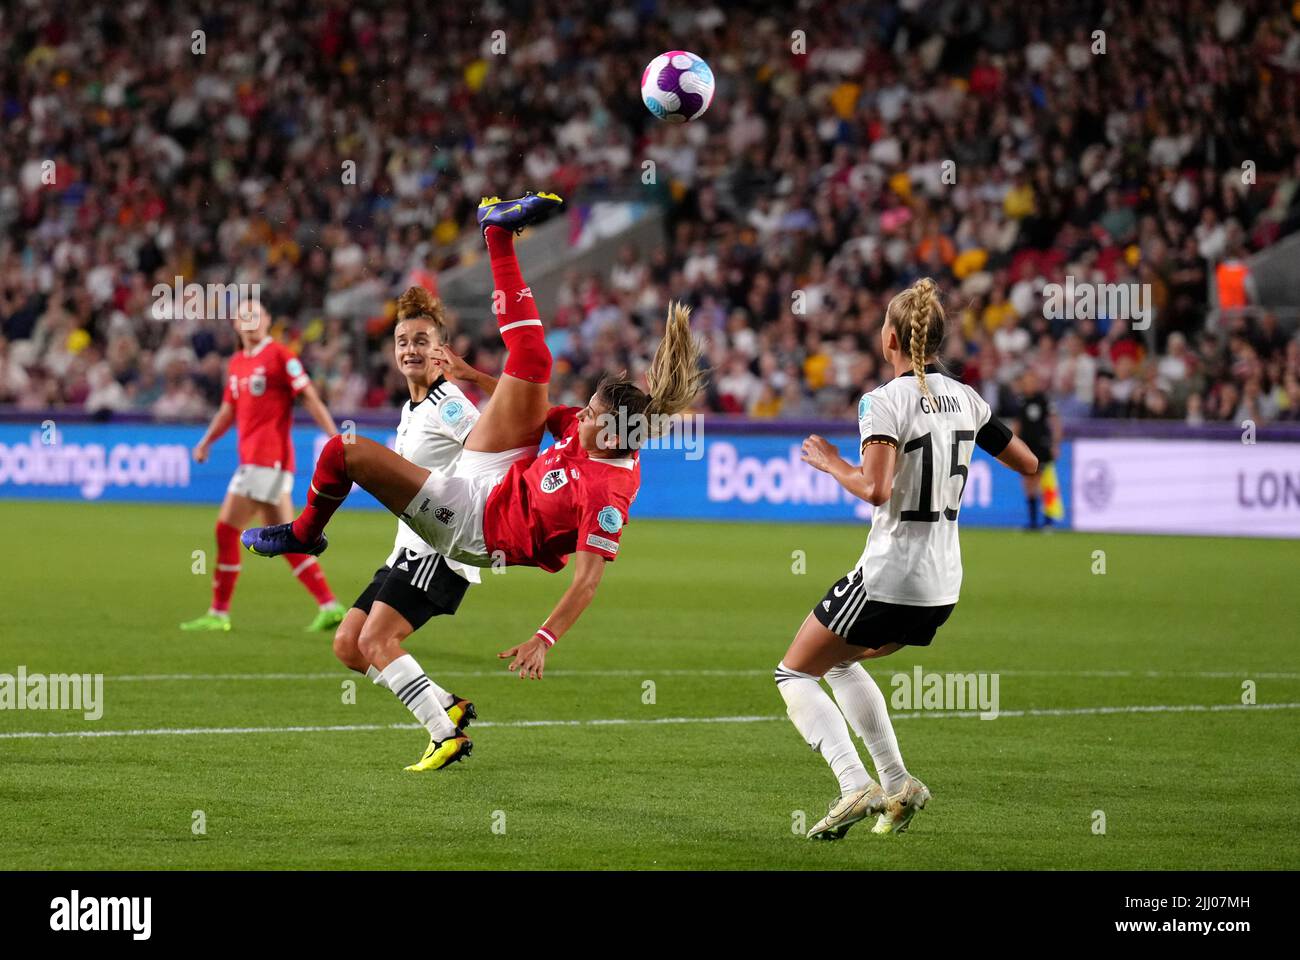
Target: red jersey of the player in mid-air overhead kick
(562, 501)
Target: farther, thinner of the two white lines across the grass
(649, 672)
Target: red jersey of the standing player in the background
(262, 387)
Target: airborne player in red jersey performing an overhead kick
(504, 503)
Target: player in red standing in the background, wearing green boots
(263, 382)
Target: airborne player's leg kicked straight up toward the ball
(515, 417)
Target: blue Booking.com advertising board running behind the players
(739, 477)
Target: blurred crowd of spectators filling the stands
(335, 154)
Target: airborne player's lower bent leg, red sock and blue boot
(374, 468)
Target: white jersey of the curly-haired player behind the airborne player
(432, 435)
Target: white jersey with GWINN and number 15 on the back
(913, 555)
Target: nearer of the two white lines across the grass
(619, 723)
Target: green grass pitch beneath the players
(704, 612)
